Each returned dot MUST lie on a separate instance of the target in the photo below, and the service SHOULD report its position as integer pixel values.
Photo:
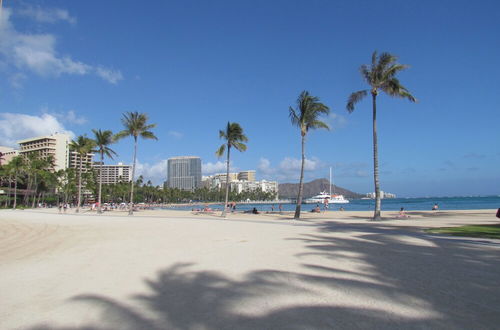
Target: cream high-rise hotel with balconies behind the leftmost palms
(55, 145)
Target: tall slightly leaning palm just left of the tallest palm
(305, 117)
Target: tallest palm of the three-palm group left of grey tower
(136, 126)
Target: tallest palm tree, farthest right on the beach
(380, 76)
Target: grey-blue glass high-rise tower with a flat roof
(184, 172)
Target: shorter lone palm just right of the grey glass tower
(233, 135)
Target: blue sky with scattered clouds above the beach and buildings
(194, 65)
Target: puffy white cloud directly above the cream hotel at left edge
(17, 126)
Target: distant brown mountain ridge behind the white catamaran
(290, 190)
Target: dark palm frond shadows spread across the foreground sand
(179, 297)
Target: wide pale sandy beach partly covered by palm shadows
(179, 270)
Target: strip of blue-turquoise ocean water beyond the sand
(410, 204)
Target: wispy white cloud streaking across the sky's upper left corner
(36, 52)
